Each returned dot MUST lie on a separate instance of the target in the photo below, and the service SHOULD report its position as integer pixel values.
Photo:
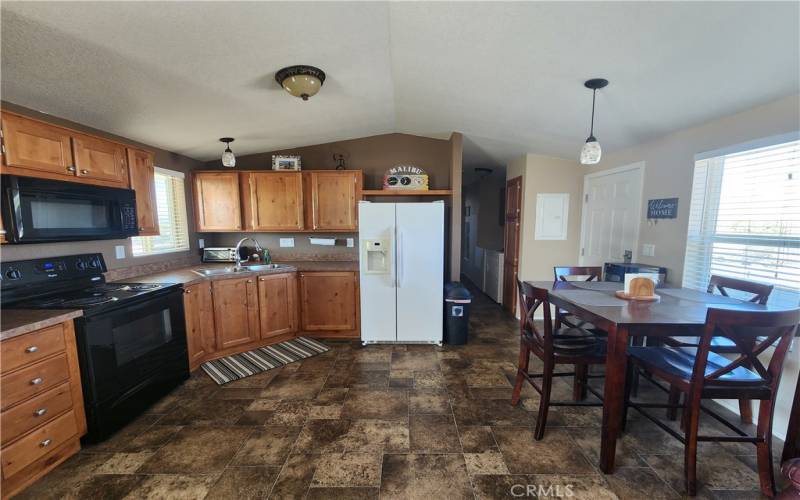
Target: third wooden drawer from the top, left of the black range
(32, 413)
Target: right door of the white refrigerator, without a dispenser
(420, 271)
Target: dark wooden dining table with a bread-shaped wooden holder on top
(676, 312)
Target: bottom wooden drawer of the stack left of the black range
(38, 443)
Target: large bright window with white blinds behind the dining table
(744, 219)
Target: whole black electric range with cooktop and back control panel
(131, 338)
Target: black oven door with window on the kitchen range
(131, 348)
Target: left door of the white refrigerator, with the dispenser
(378, 299)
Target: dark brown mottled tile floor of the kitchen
(404, 422)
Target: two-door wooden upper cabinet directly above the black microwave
(37, 149)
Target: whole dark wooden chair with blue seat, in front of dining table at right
(705, 374)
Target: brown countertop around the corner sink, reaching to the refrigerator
(186, 275)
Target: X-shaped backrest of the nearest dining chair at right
(752, 332)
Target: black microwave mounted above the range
(40, 211)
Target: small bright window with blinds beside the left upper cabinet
(173, 228)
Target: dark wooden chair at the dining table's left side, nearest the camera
(563, 346)
